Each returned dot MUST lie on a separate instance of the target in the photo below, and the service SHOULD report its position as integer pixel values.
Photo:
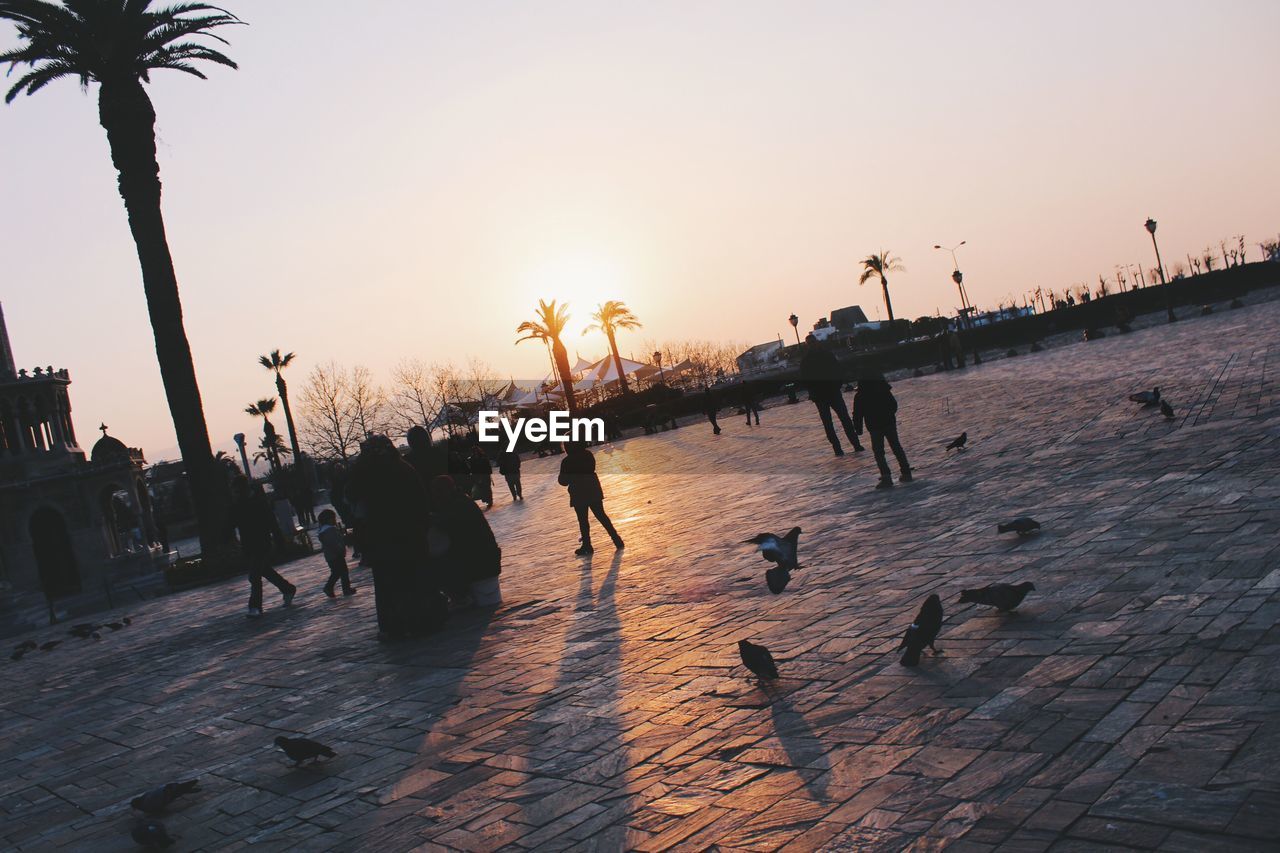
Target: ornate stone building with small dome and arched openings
(76, 533)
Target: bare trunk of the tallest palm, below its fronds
(129, 118)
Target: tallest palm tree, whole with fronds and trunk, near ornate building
(118, 44)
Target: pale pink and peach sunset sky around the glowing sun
(406, 179)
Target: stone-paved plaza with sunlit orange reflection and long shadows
(1133, 701)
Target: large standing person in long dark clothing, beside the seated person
(395, 539)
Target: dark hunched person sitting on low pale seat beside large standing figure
(473, 553)
